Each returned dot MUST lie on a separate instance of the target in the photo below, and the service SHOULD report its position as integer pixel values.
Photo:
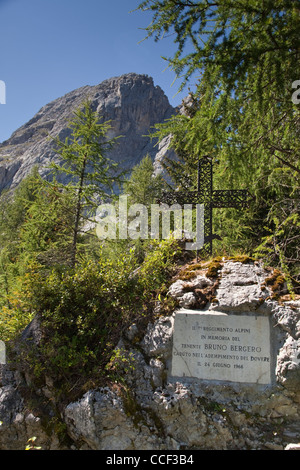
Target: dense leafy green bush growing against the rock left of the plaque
(84, 310)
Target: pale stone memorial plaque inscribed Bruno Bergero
(217, 346)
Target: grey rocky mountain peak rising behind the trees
(131, 102)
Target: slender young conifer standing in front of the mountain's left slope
(92, 174)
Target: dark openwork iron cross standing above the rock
(212, 199)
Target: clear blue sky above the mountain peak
(51, 47)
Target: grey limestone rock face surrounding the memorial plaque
(154, 411)
